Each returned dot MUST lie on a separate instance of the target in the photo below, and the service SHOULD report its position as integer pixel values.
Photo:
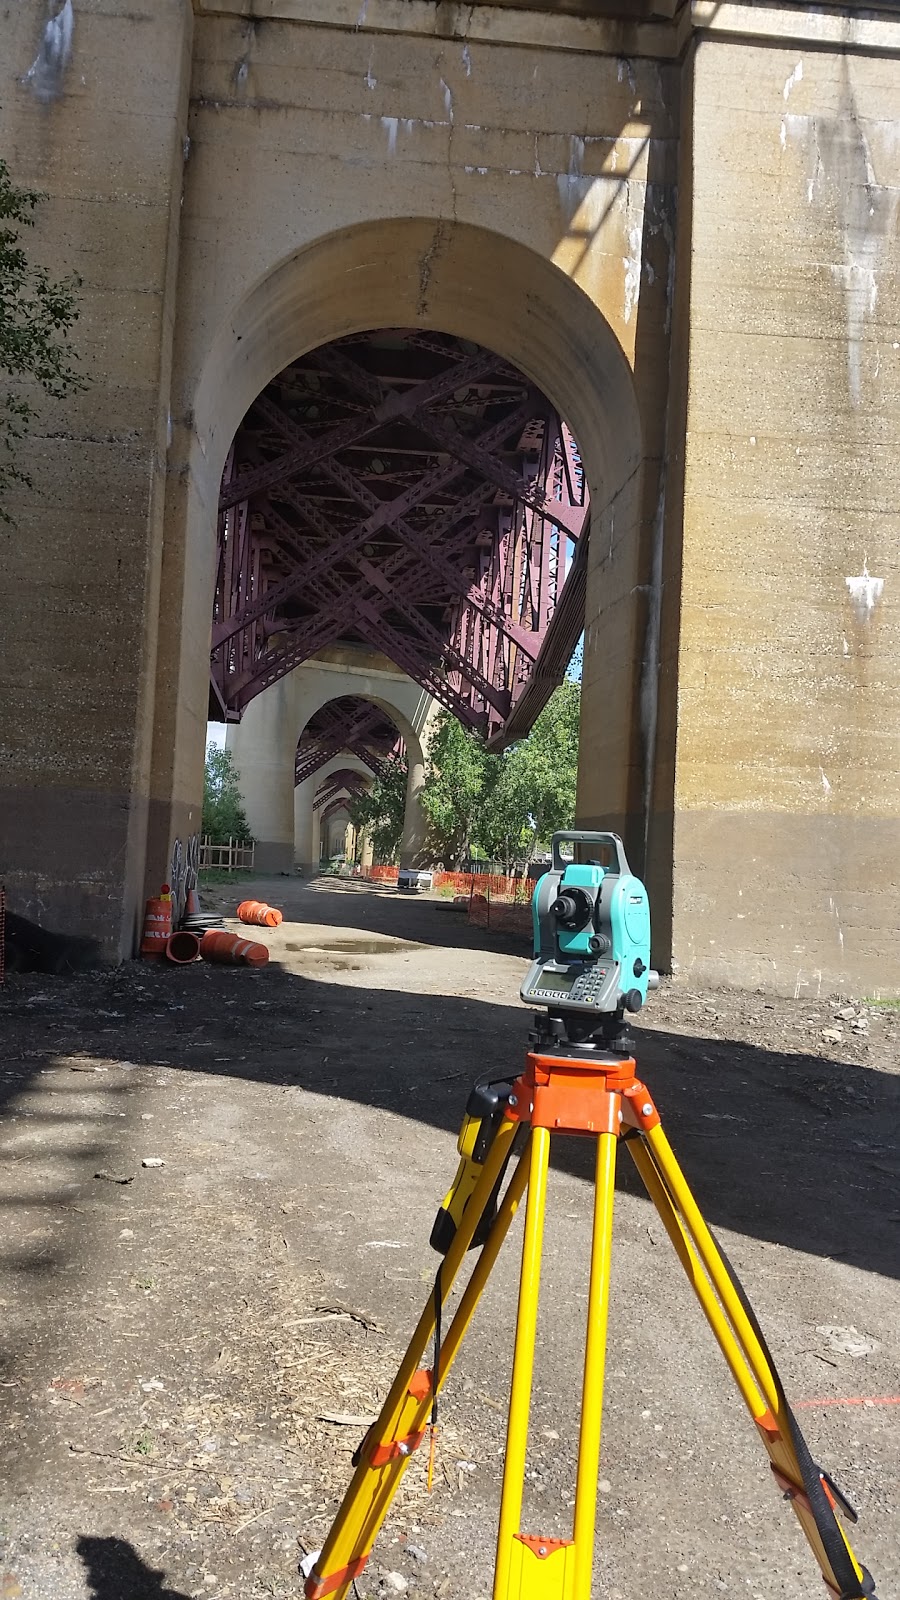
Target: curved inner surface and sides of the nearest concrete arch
(449, 276)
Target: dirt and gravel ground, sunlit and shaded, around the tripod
(179, 1340)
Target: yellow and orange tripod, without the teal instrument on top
(584, 1090)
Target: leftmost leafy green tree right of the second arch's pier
(459, 775)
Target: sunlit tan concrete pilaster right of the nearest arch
(787, 834)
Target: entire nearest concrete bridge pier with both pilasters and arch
(694, 252)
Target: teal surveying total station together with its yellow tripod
(592, 967)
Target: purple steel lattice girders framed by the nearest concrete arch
(414, 494)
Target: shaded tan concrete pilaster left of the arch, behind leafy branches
(82, 567)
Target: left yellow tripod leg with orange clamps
(390, 1444)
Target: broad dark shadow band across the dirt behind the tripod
(787, 1148)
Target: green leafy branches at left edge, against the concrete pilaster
(36, 316)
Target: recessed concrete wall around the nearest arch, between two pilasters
(524, 199)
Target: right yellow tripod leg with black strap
(813, 1495)
